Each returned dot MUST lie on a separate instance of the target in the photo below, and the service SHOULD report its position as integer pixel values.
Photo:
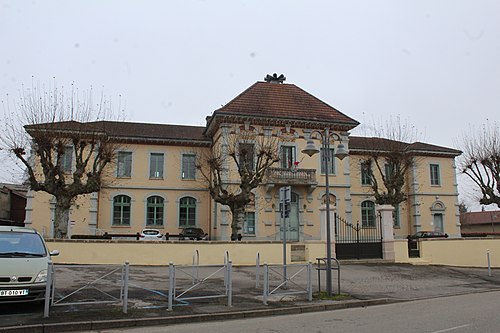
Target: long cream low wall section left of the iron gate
(180, 253)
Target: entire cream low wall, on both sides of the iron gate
(467, 252)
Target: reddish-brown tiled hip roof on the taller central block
(274, 100)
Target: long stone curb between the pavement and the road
(220, 316)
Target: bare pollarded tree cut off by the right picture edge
(481, 161)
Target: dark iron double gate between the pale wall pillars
(358, 241)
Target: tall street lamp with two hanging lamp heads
(340, 153)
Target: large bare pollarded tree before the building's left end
(64, 152)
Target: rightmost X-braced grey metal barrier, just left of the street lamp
(280, 281)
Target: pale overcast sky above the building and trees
(435, 63)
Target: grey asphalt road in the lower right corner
(460, 314)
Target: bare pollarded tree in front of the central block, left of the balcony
(252, 154)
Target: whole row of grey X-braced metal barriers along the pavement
(169, 286)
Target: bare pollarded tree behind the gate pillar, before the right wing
(388, 159)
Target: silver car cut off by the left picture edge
(24, 259)
